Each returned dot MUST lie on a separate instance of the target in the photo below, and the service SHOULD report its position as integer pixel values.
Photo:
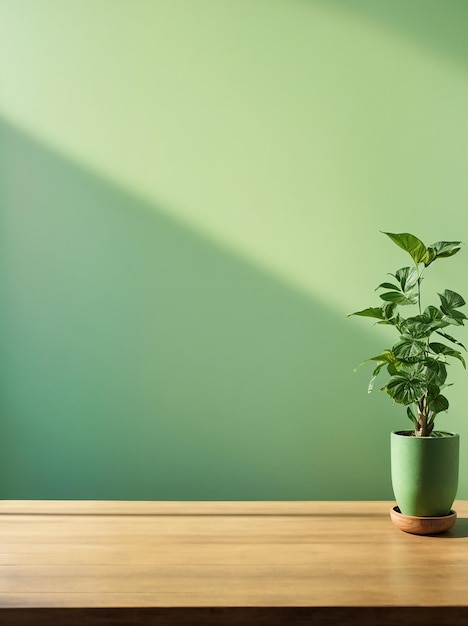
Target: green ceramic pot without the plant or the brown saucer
(424, 473)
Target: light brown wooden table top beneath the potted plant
(226, 563)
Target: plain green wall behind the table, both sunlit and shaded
(191, 198)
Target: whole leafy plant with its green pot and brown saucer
(424, 460)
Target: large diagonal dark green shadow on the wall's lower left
(141, 361)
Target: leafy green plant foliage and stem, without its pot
(416, 364)
